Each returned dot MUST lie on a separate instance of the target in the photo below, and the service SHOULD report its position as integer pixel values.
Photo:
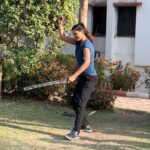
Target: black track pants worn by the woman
(82, 93)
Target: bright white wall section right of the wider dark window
(142, 41)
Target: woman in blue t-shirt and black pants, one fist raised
(86, 74)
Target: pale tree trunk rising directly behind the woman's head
(83, 11)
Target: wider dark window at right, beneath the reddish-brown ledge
(126, 21)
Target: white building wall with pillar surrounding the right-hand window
(133, 50)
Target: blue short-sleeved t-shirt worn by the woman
(79, 53)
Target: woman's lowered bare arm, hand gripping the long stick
(83, 67)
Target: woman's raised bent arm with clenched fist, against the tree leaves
(62, 33)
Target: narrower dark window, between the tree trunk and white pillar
(99, 21)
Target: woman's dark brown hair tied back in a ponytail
(81, 27)
